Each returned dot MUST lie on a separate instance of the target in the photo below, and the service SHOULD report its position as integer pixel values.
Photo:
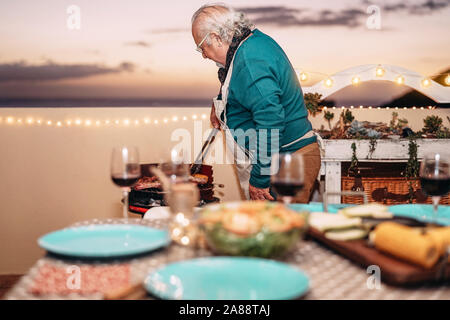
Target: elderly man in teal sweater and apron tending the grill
(260, 106)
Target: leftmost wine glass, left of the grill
(125, 171)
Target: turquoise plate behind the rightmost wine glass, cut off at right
(422, 212)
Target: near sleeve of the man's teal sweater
(260, 93)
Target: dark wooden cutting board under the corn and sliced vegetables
(393, 270)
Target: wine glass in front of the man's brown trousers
(287, 175)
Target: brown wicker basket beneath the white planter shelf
(387, 190)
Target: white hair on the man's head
(221, 19)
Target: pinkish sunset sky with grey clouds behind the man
(144, 49)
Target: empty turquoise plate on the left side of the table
(101, 241)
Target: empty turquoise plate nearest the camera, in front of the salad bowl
(227, 278)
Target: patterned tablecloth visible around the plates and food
(331, 276)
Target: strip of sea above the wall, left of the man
(101, 103)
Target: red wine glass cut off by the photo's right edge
(435, 179)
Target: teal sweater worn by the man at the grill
(265, 107)
